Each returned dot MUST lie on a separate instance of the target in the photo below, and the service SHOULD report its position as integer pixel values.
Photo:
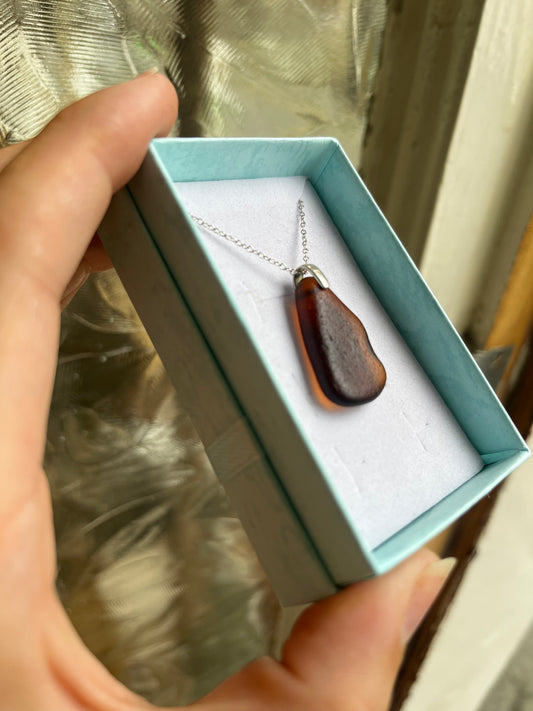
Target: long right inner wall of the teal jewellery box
(429, 333)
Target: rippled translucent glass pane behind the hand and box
(154, 568)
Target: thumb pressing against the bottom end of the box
(349, 647)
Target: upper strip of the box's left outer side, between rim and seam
(195, 266)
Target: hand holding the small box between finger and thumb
(343, 653)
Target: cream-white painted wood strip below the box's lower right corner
(492, 611)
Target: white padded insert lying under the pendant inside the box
(390, 459)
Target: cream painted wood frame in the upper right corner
(491, 141)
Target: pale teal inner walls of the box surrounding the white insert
(429, 333)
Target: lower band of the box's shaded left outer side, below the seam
(284, 547)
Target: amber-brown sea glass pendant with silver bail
(346, 367)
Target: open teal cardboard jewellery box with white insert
(326, 496)
